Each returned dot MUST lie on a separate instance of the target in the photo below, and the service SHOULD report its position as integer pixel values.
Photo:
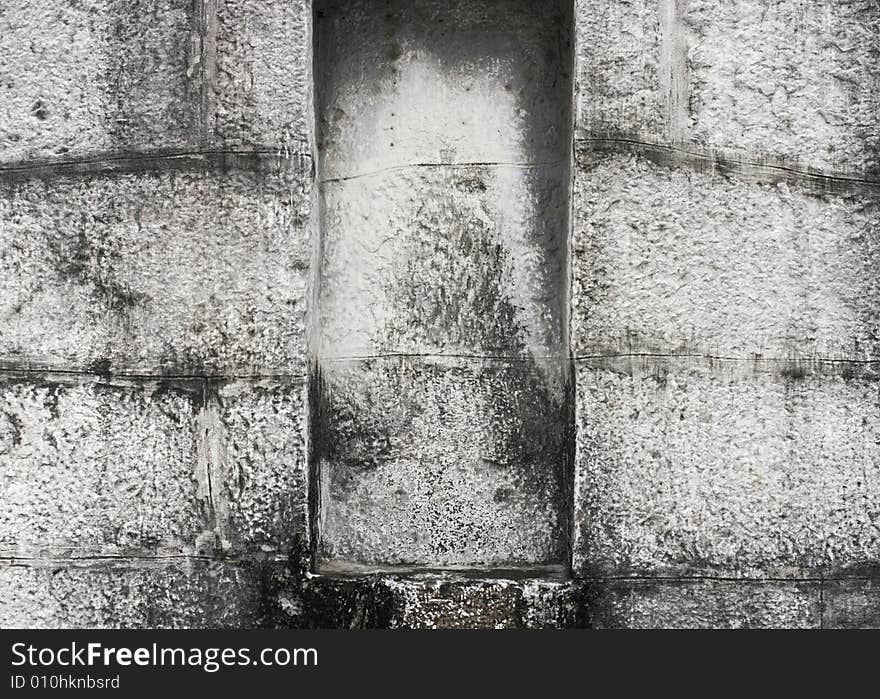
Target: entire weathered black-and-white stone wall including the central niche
(213, 376)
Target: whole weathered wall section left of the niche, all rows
(155, 251)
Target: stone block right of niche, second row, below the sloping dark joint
(671, 260)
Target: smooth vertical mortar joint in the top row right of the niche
(674, 77)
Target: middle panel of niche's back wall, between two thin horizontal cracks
(467, 260)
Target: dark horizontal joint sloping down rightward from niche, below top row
(720, 158)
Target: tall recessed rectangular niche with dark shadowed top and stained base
(441, 384)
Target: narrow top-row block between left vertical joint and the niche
(261, 91)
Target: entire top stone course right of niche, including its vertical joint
(793, 82)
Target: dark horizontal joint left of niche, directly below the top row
(137, 161)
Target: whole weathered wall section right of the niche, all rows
(724, 313)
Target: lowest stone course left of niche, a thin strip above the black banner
(179, 594)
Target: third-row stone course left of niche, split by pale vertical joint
(150, 468)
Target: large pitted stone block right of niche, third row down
(693, 466)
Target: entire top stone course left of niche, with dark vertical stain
(115, 76)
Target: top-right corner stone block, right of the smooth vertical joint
(796, 80)
